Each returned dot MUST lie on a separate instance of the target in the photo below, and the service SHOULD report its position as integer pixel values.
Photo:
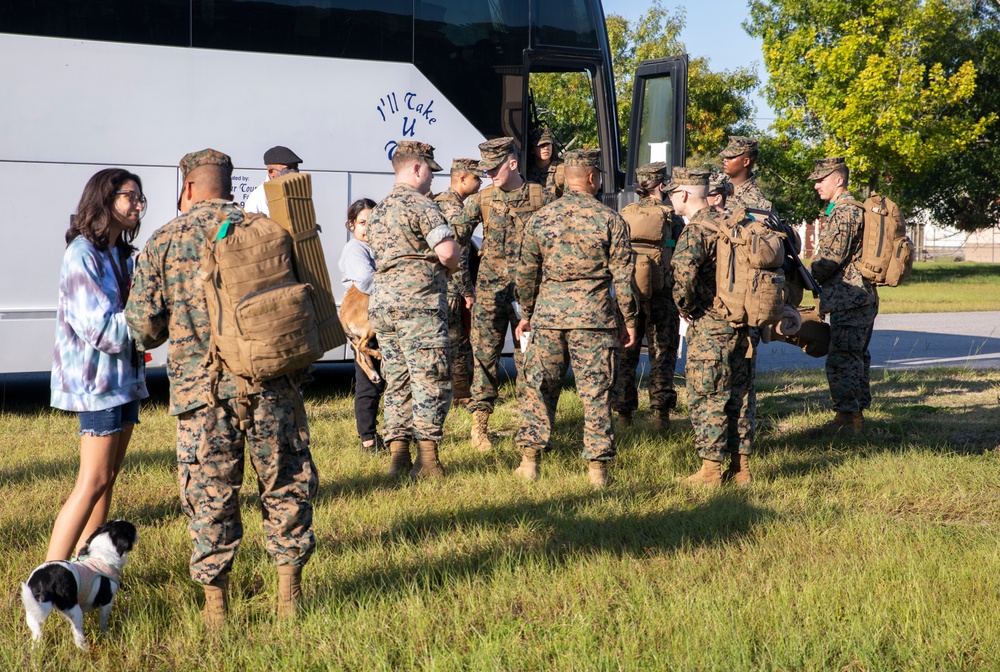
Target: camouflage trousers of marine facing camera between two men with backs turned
(492, 314)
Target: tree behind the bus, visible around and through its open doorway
(718, 102)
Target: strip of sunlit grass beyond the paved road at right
(943, 287)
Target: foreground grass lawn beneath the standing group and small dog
(870, 554)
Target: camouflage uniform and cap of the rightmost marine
(849, 299)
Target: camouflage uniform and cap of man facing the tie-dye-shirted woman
(167, 301)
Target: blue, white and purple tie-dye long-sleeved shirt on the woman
(94, 366)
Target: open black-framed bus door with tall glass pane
(659, 118)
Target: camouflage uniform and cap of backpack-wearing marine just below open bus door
(657, 319)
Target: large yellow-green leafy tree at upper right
(866, 79)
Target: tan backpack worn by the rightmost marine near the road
(886, 251)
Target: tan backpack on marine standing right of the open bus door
(749, 280)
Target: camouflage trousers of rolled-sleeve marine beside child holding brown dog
(416, 366)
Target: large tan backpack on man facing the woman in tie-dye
(263, 321)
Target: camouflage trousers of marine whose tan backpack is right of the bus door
(719, 385)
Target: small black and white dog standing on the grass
(80, 585)
